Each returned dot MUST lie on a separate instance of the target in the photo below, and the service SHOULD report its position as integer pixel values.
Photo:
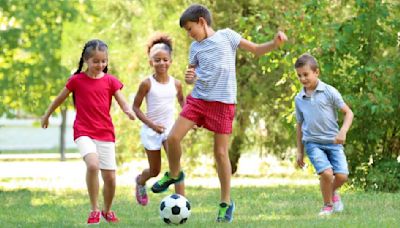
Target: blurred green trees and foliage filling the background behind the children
(355, 41)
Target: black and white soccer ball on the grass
(174, 209)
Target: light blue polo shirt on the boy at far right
(318, 113)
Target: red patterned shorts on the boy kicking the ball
(212, 115)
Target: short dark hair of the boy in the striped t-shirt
(193, 14)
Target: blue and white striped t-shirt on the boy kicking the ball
(215, 58)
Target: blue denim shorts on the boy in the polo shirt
(325, 156)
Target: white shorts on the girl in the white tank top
(151, 140)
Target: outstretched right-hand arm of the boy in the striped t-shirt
(261, 49)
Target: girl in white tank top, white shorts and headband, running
(160, 90)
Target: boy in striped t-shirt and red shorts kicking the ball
(212, 101)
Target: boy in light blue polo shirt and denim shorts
(318, 131)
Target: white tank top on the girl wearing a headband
(160, 102)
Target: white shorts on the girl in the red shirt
(104, 150)
